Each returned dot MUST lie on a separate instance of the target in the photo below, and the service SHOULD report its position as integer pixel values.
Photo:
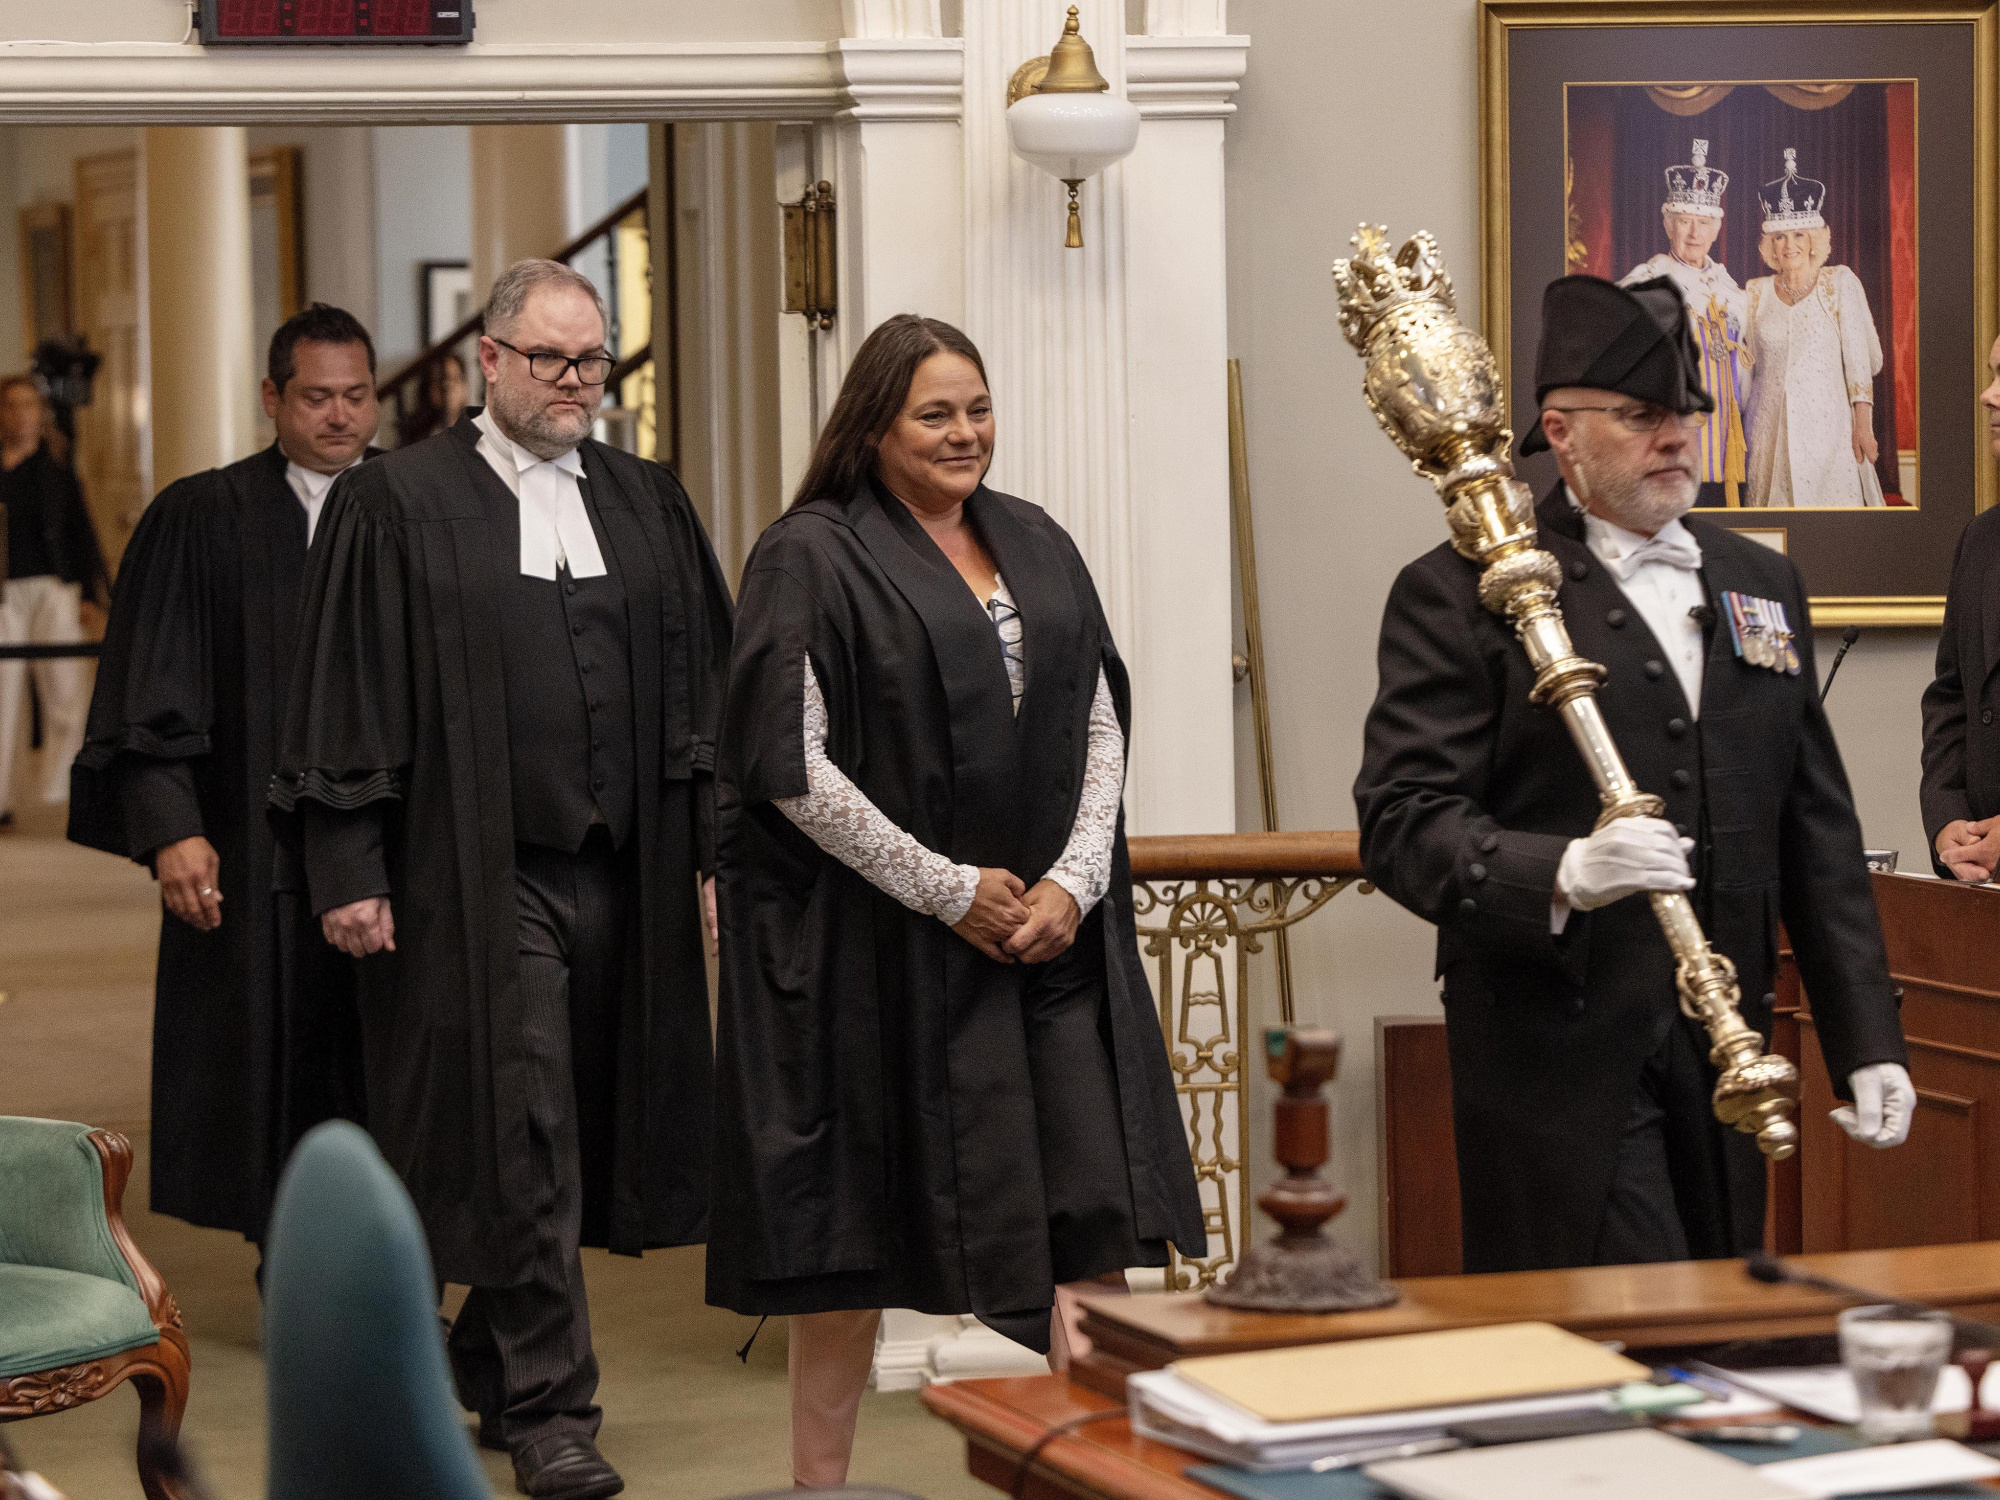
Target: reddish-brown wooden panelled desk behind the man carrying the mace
(1943, 1187)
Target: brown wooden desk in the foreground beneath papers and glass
(1647, 1307)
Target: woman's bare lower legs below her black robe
(829, 1369)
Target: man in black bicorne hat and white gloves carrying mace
(1581, 1095)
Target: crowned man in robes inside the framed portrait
(1717, 307)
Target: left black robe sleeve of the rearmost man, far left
(153, 709)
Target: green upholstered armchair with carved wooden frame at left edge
(81, 1309)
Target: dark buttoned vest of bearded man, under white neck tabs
(569, 691)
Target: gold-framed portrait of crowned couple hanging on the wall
(1821, 185)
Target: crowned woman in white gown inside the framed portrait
(1815, 355)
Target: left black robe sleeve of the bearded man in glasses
(349, 727)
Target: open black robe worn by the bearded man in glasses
(399, 703)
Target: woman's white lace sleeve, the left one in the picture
(841, 819)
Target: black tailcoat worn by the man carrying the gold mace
(1469, 795)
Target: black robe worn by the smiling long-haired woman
(875, 1125)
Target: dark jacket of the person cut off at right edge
(1961, 737)
